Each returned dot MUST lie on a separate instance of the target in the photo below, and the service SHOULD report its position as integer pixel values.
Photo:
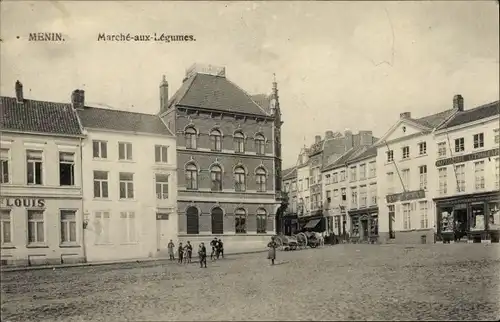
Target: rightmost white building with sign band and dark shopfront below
(466, 166)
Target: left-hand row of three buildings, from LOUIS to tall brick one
(82, 183)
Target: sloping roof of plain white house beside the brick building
(108, 119)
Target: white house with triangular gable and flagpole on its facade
(405, 185)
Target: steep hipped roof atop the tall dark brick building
(216, 93)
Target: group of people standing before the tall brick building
(185, 252)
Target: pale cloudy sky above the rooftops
(339, 65)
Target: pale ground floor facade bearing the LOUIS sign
(45, 230)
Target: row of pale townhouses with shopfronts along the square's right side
(428, 179)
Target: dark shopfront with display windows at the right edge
(473, 218)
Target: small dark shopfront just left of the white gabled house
(364, 225)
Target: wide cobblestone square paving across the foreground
(343, 282)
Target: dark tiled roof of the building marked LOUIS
(38, 117)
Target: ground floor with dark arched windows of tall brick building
(241, 226)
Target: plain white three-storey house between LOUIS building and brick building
(129, 183)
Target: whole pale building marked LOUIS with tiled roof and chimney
(41, 182)
